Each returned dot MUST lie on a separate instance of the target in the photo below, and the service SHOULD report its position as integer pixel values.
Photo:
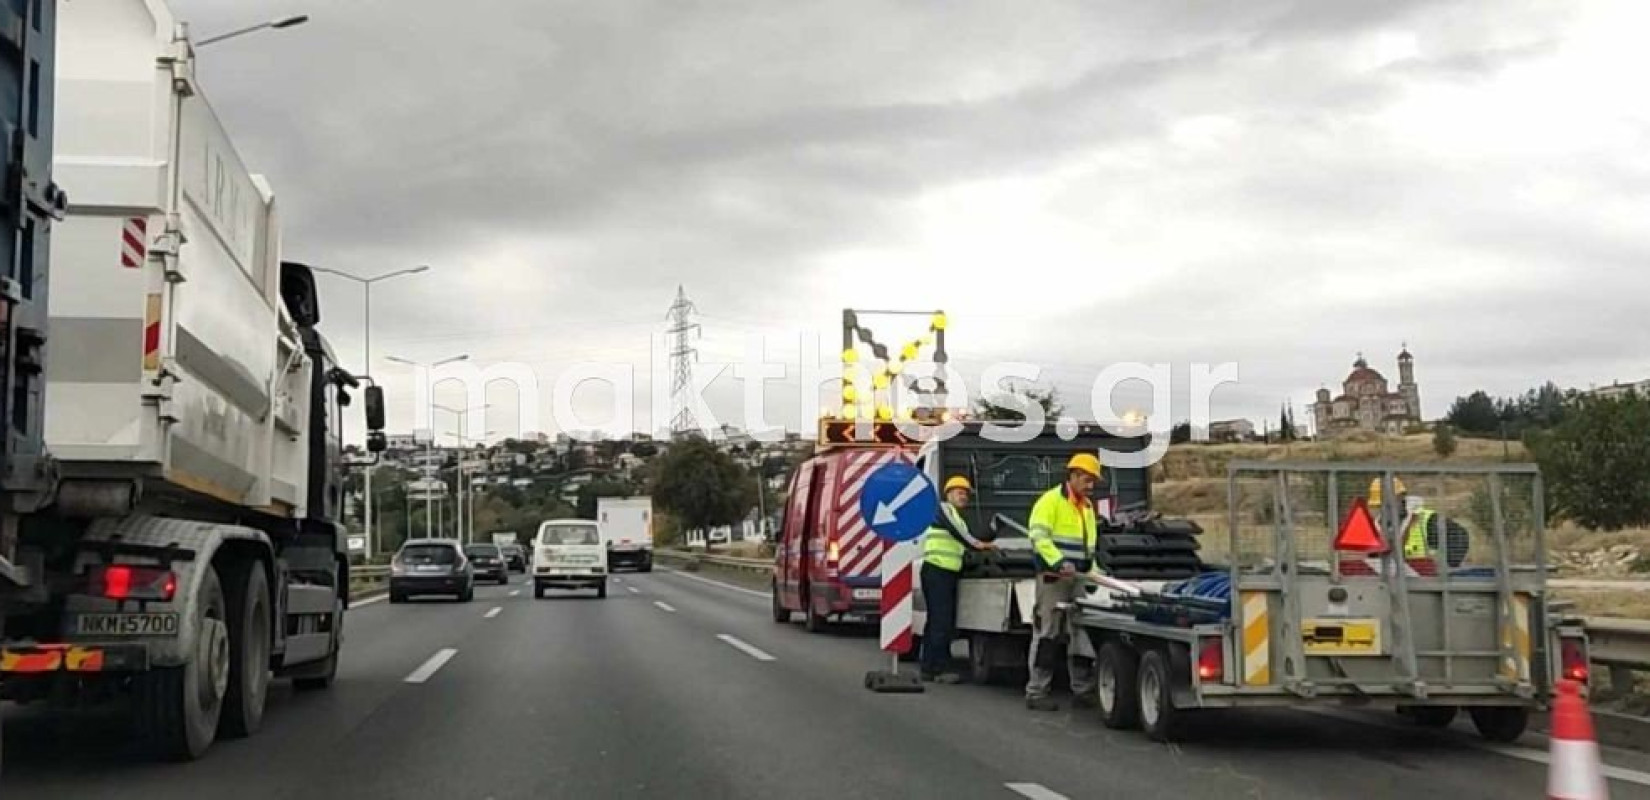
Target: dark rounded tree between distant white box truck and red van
(702, 486)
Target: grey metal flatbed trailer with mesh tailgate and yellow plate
(1464, 628)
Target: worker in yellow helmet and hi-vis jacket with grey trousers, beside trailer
(1063, 532)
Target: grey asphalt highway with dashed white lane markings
(681, 689)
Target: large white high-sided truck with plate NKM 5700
(181, 542)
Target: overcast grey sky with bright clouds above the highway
(1278, 184)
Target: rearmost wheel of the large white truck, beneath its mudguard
(179, 707)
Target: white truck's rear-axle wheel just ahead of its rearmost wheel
(248, 603)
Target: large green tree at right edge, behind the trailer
(1598, 463)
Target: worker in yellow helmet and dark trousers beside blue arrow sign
(943, 550)
